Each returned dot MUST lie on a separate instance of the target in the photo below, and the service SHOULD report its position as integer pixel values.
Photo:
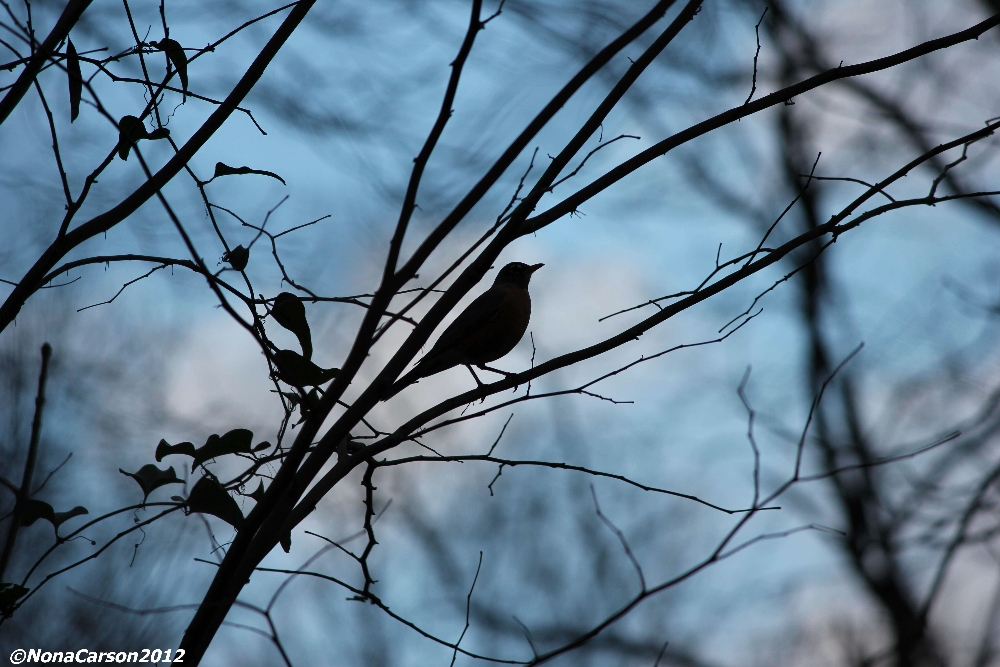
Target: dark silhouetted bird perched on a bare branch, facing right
(489, 328)
